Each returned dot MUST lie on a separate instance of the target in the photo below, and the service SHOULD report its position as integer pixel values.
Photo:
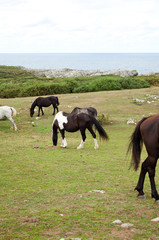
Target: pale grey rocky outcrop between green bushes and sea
(66, 72)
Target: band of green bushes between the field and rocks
(18, 82)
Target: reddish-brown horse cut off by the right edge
(147, 132)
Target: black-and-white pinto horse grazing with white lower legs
(72, 122)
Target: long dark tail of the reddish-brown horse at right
(135, 145)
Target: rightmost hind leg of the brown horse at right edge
(151, 172)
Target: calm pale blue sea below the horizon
(143, 63)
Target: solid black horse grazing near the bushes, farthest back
(44, 102)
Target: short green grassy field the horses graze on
(48, 193)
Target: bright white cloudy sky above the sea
(79, 26)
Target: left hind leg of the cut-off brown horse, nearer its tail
(141, 180)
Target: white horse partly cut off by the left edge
(8, 112)
